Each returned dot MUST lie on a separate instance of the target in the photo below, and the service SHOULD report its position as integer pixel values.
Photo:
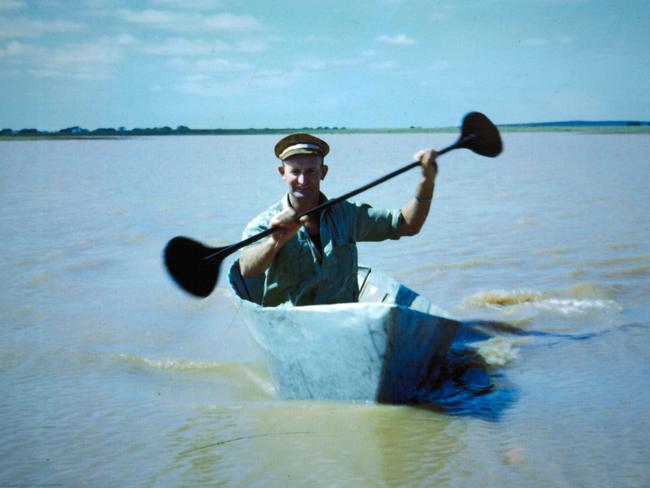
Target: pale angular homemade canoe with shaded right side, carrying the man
(383, 349)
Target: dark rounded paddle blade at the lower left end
(184, 259)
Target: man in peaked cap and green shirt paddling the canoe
(314, 260)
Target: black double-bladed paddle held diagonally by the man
(195, 267)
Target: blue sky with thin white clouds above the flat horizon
(343, 63)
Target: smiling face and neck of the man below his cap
(303, 174)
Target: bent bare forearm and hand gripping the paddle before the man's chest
(257, 259)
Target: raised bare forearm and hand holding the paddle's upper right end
(415, 212)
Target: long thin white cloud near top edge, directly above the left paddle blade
(189, 22)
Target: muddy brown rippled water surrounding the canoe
(111, 376)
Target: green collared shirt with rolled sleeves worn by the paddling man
(302, 275)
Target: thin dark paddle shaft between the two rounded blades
(226, 251)
